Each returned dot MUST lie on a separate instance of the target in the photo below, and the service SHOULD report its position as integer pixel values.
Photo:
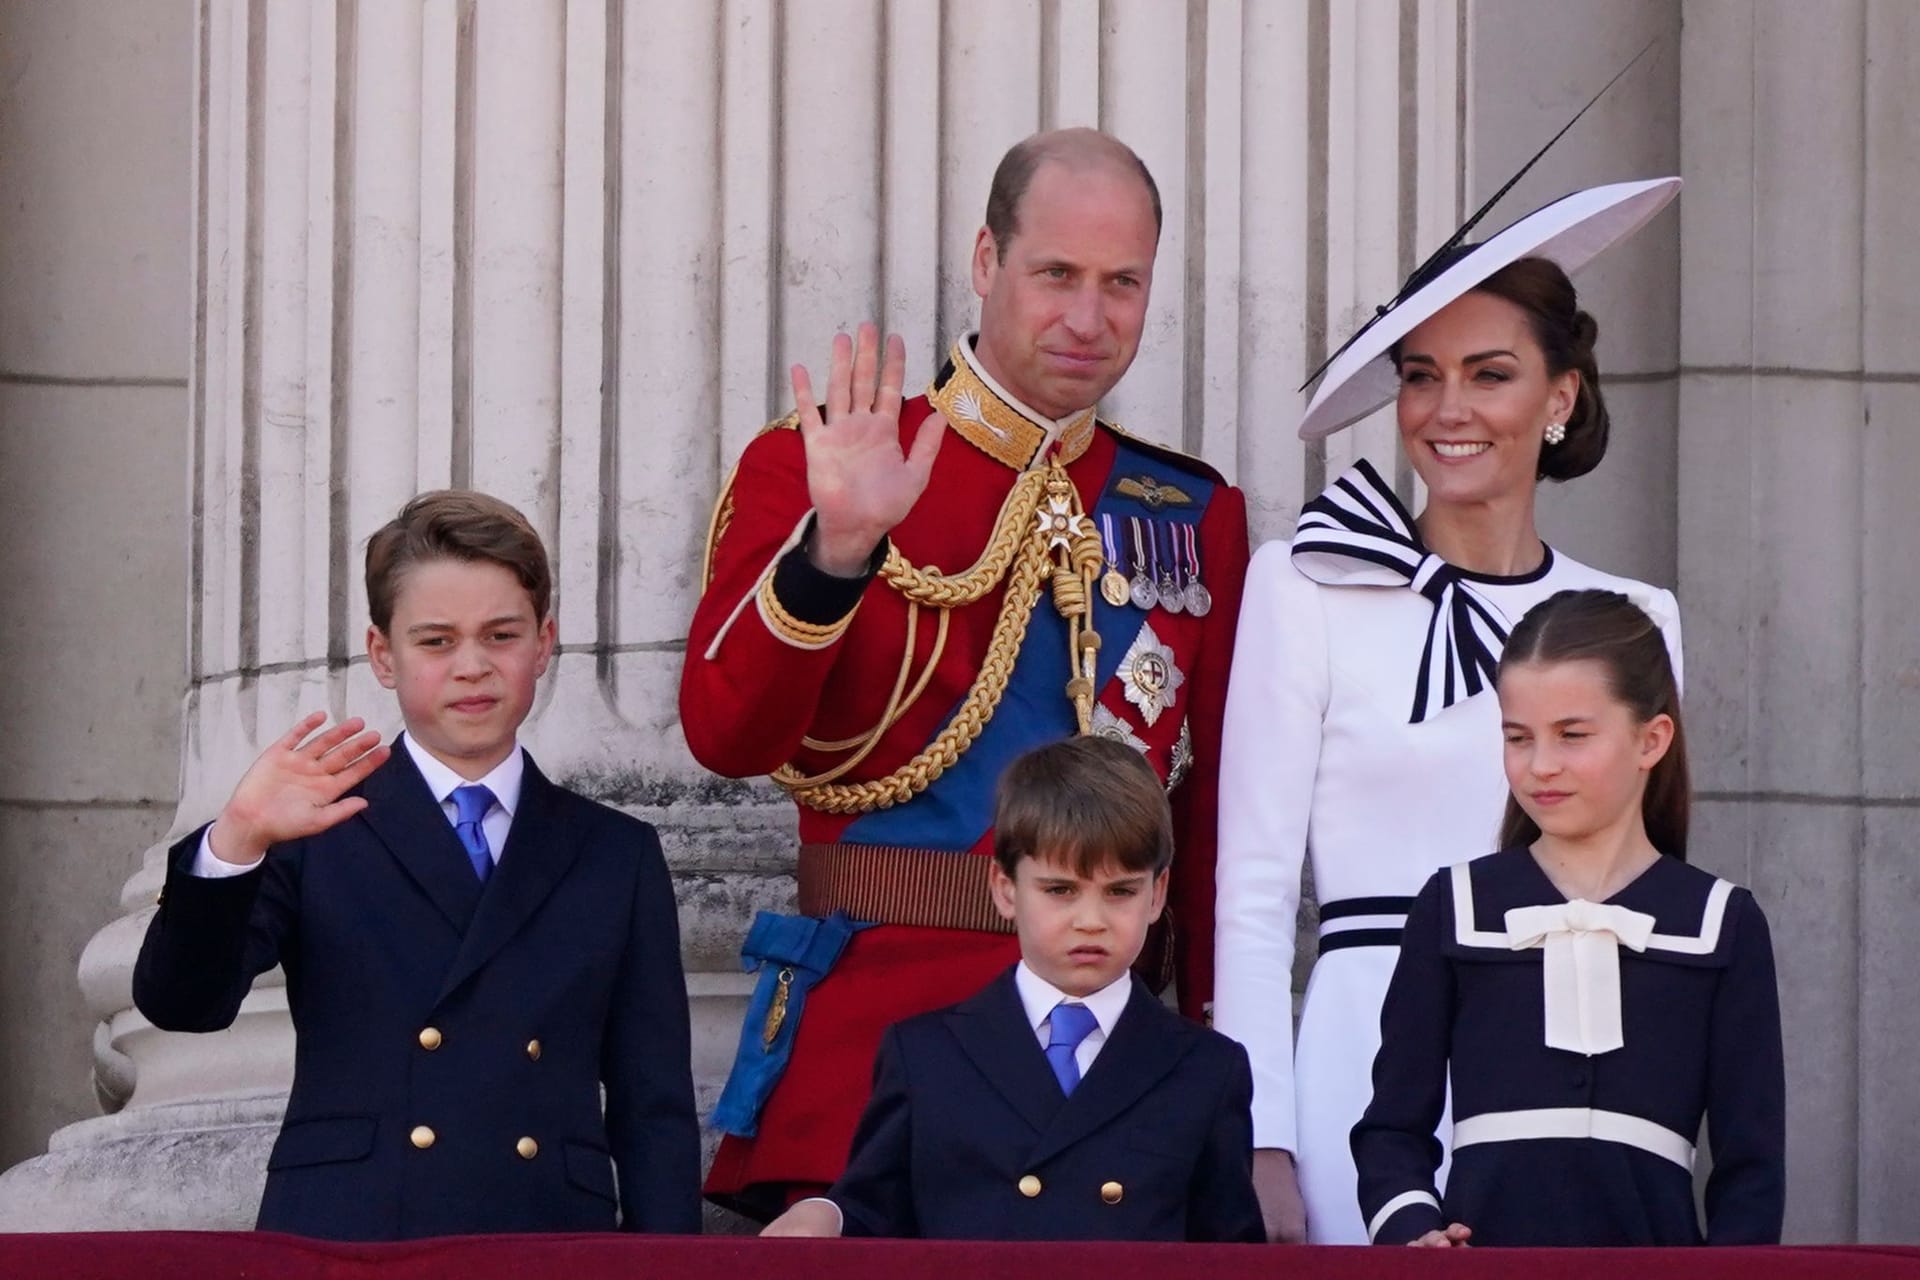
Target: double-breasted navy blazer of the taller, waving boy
(452, 1039)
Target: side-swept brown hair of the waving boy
(454, 525)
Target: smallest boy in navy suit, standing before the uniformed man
(1063, 1102)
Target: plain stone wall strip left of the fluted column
(95, 306)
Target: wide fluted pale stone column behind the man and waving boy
(565, 252)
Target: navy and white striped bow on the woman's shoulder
(1360, 534)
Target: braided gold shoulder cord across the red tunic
(1040, 519)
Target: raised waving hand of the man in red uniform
(857, 475)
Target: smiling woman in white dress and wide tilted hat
(1362, 730)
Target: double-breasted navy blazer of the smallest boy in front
(971, 1137)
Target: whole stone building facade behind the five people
(276, 266)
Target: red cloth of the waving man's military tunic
(757, 682)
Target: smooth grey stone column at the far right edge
(1800, 400)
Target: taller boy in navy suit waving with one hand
(471, 953)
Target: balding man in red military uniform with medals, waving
(905, 596)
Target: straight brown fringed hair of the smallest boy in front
(1086, 803)
